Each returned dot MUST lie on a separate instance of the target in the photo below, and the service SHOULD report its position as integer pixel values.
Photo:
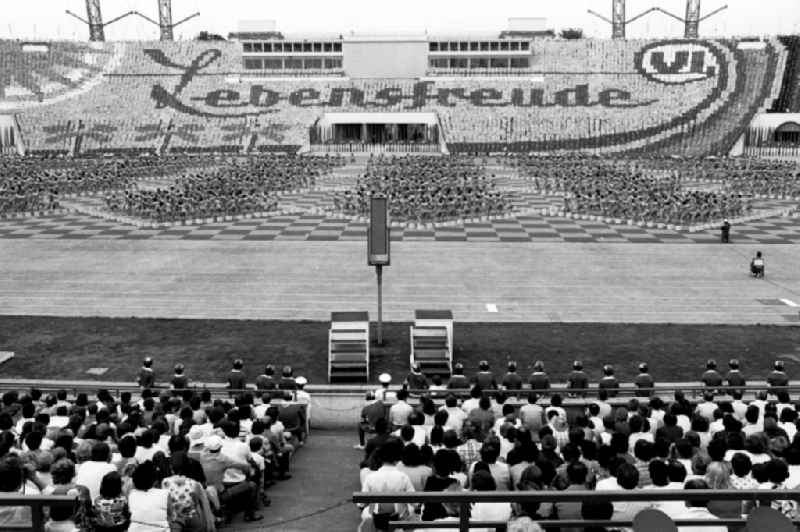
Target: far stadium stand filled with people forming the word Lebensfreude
(663, 96)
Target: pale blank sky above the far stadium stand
(46, 19)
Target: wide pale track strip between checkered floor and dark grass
(526, 282)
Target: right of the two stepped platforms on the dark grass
(432, 341)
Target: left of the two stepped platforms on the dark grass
(348, 346)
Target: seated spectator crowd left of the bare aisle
(168, 460)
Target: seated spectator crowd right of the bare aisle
(491, 434)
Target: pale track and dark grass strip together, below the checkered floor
(205, 303)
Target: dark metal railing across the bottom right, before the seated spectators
(466, 498)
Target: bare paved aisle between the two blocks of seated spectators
(317, 497)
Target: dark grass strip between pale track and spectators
(65, 348)
